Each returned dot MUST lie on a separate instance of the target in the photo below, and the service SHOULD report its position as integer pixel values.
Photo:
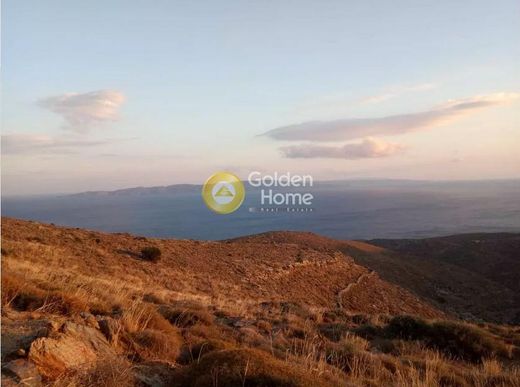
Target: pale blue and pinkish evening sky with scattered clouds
(102, 95)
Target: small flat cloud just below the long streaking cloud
(368, 148)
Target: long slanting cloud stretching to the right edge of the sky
(353, 128)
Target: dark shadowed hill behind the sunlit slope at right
(473, 276)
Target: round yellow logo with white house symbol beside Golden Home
(223, 192)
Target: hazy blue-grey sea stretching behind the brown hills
(363, 209)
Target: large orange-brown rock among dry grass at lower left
(74, 346)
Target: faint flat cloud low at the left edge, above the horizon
(41, 143)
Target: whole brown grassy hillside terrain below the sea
(81, 307)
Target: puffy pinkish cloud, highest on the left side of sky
(83, 111)
